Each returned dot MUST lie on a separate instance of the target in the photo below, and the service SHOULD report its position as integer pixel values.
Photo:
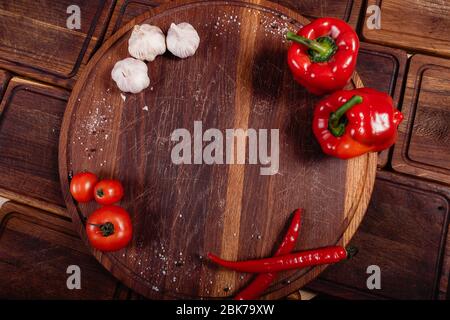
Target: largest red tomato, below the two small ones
(109, 228)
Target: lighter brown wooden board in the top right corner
(418, 25)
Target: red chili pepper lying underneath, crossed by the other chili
(263, 280)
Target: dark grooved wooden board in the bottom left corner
(36, 248)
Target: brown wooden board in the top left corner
(36, 42)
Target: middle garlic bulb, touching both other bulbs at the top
(146, 42)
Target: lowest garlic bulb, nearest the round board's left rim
(130, 75)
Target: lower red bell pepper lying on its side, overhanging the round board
(349, 123)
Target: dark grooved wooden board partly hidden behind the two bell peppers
(383, 69)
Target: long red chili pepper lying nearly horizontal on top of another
(287, 262)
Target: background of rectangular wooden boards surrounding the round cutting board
(405, 231)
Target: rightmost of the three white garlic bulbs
(182, 40)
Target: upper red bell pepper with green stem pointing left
(323, 55)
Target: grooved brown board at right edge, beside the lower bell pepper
(423, 147)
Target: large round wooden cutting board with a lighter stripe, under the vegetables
(237, 79)
